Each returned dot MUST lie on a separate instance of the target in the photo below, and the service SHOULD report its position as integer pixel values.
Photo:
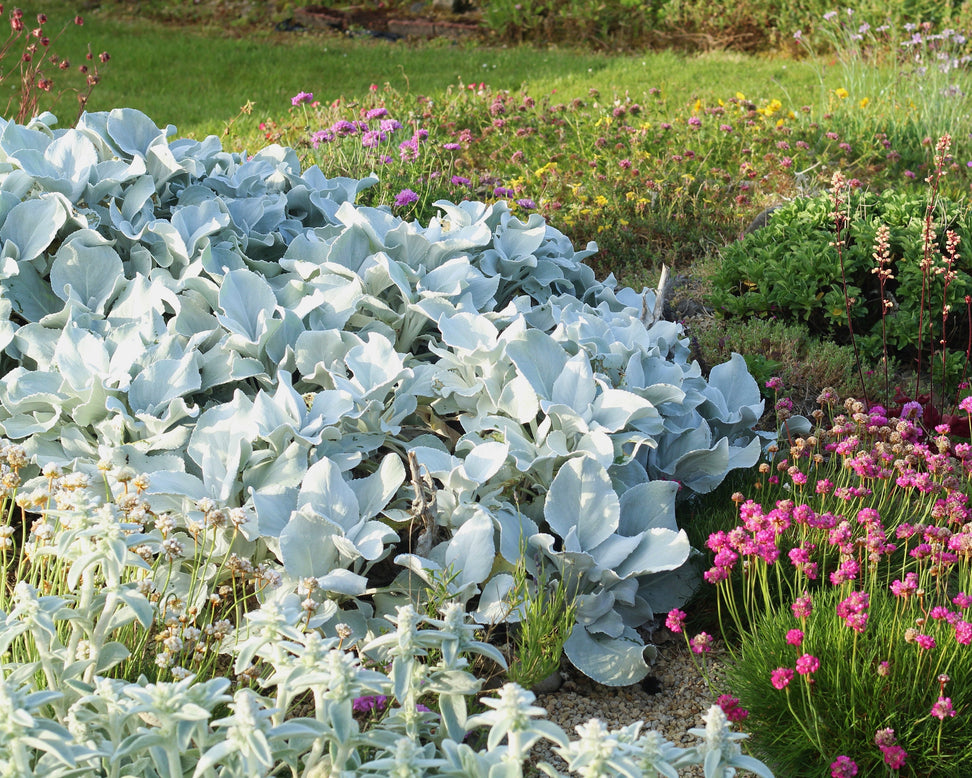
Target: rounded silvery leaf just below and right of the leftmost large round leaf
(87, 270)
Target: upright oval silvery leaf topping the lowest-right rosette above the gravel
(581, 505)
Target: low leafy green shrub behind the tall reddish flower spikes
(791, 270)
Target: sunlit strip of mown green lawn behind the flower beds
(198, 80)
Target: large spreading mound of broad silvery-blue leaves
(239, 331)
